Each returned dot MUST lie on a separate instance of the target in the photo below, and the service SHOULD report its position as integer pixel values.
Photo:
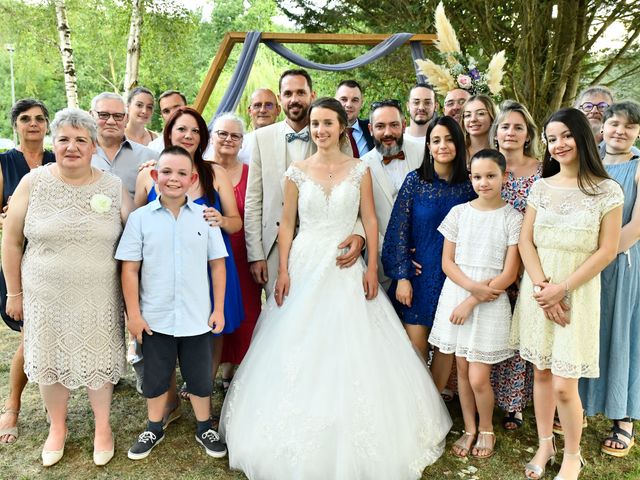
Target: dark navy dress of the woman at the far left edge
(14, 167)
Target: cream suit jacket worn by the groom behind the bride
(265, 188)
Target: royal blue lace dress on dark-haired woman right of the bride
(417, 213)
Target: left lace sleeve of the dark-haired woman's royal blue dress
(397, 245)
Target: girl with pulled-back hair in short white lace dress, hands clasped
(480, 258)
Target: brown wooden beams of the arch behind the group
(231, 38)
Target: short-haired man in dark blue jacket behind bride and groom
(349, 94)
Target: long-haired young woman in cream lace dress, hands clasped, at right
(569, 234)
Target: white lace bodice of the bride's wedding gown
(327, 211)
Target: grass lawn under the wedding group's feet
(179, 457)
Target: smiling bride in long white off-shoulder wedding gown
(330, 387)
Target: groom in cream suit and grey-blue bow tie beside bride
(276, 147)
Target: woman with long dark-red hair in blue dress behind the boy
(187, 128)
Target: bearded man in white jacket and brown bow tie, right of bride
(389, 163)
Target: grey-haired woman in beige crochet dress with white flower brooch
(66, 285)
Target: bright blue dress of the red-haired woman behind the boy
(233, 309)
